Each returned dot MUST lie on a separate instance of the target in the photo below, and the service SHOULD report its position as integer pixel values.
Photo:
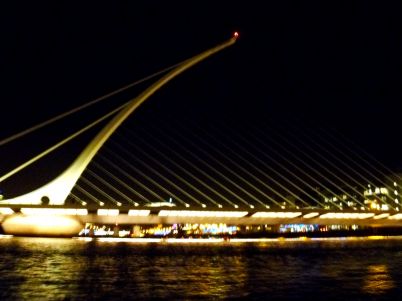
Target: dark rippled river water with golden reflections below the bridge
(294, 269)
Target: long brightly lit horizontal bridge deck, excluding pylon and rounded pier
(146, 215)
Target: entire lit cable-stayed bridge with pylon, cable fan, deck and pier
(238, 174)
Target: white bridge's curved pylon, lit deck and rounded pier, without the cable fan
(44, 211)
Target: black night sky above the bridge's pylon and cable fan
(332, 66)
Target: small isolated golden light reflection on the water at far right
(378, 280)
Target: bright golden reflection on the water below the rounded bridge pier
(43, 264)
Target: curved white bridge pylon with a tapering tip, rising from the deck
(56, 191)
